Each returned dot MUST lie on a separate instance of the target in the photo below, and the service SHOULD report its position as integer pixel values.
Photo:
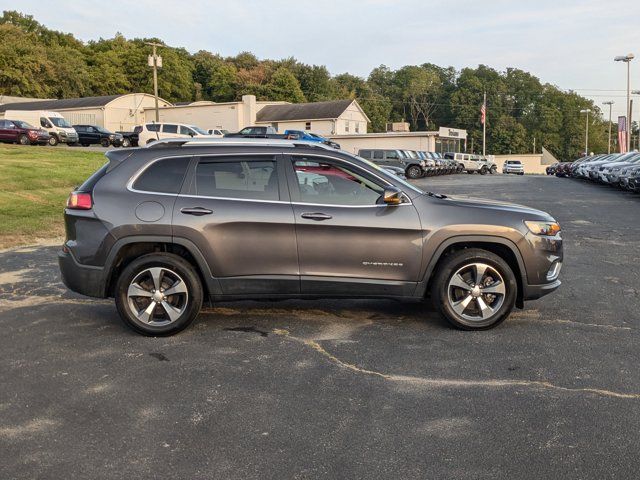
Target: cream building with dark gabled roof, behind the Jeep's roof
(334, 117)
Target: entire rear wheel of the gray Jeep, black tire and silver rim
(158, 294)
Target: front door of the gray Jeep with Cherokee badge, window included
(349, 243)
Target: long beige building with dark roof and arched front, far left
(113, 112)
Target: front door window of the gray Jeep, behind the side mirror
(329, 182)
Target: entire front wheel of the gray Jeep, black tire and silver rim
(474, 289)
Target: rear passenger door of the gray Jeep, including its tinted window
(236, 209)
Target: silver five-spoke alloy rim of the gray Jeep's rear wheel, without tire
(157, 296)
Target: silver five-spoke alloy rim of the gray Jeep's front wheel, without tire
(476, 292)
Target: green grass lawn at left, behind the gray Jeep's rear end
(34, 185)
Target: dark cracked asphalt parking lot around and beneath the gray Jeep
(338, 389)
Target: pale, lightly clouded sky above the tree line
(567, 43)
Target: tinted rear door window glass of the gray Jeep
(245, 179)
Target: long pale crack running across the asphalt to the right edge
(453, 383)
